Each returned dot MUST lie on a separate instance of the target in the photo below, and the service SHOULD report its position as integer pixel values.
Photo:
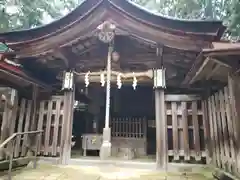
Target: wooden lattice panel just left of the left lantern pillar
(50, 119)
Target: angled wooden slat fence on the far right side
(223, 150)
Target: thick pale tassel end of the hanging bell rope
(105, 151)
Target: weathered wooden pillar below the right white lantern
(161, 130)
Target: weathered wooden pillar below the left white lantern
(67, 127)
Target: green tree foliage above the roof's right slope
(226, 10)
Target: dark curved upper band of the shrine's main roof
(213, 29)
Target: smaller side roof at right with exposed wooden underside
(215, 63)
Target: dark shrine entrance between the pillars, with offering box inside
(128, 121)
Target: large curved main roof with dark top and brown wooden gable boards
(82, 22)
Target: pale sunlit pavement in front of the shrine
(51, 172)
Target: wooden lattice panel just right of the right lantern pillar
(186, 122)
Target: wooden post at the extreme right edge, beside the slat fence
(234, 98)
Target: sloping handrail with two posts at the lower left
(10, 142)
